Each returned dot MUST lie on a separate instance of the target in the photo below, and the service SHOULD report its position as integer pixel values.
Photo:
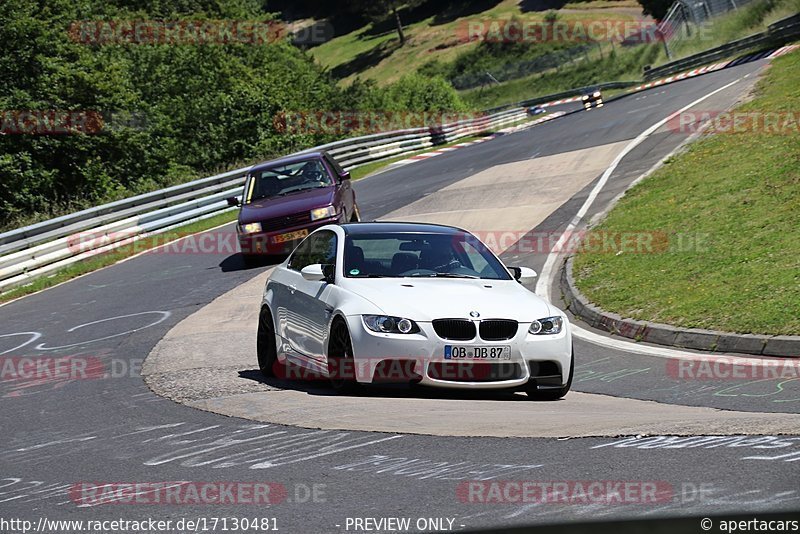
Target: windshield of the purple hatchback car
(287, 179)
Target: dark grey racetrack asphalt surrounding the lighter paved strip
(58, 433)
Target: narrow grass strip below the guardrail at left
(99, 261)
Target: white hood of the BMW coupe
(426, 299)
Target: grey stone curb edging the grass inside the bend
(663, 334)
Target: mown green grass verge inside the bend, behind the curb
(726, 211)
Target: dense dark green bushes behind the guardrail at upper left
(171, 112)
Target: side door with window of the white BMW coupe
(307, 307)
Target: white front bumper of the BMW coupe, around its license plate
(420, 358)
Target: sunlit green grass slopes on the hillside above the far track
(429, 41)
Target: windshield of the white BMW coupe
(428, 255)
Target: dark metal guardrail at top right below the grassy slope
(781, 32)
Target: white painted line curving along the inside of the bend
(544, 283)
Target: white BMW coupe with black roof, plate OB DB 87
(416, 303)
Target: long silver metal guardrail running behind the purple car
(40, 249)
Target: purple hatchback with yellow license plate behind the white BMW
(286, 199)
